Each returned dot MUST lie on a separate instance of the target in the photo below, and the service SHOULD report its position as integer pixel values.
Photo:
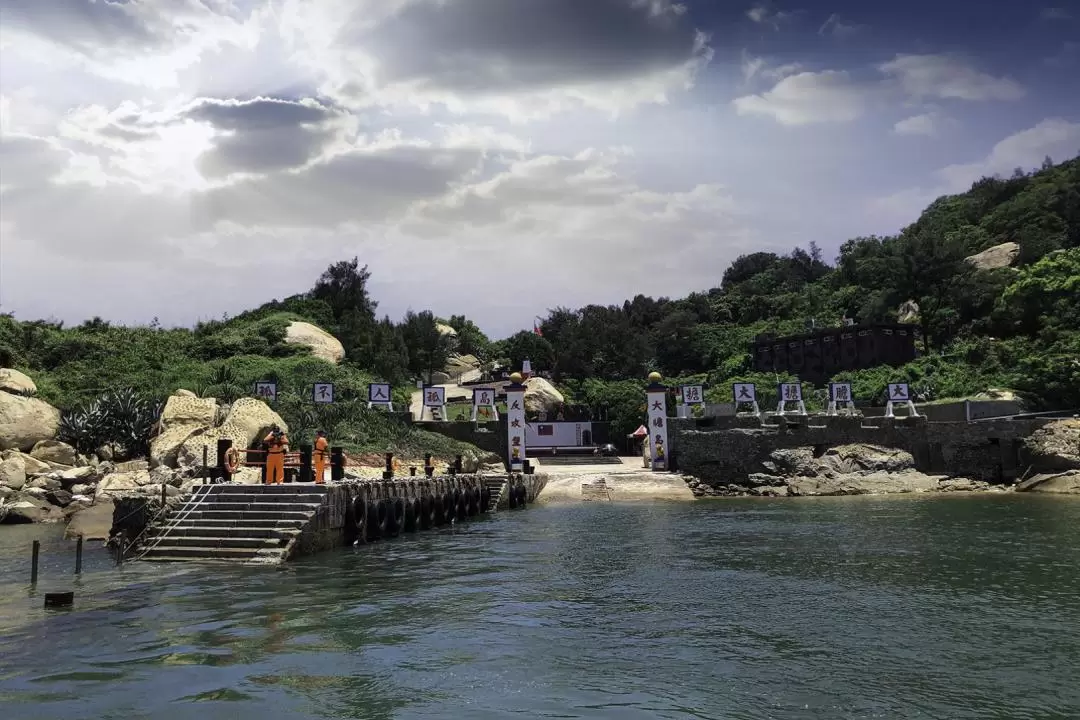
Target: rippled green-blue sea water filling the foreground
(956, 607)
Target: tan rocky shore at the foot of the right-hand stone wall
(1052, 457)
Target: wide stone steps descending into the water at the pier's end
(246, 523)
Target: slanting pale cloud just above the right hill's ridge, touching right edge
(1056, 138)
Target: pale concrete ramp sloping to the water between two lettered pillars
(628, 482)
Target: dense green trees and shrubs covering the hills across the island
(1016, 329)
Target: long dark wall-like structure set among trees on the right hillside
(818, 356)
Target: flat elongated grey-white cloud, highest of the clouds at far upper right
(949, 77)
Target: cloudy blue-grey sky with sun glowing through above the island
(190, 159)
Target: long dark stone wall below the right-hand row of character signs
(732, 450)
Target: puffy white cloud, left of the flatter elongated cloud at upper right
(808, 98)
